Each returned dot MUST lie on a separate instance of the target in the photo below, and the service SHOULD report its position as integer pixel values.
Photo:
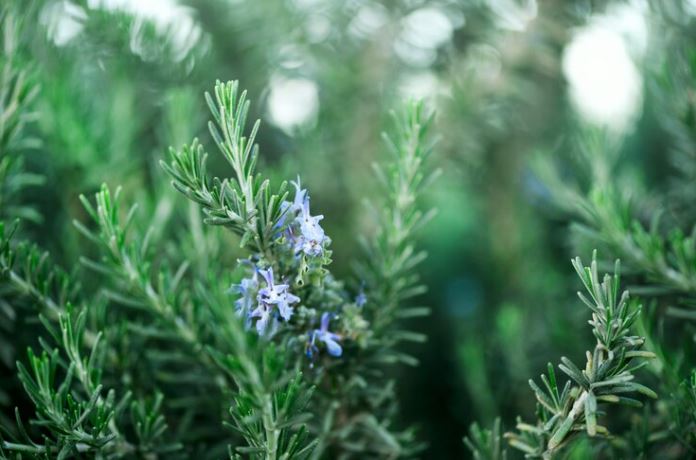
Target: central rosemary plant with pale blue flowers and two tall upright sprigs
(289, 297)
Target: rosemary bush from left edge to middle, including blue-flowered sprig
(287, 357)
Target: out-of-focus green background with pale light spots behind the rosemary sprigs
(513, 83)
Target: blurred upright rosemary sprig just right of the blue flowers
(390, 256)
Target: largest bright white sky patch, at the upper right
(605, 85)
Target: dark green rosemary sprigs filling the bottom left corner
(64, 382)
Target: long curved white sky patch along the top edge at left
(167, 15)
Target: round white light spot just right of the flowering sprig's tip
(293, 102)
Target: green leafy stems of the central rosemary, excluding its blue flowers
(247, 207)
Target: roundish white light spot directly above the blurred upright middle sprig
(423, 32)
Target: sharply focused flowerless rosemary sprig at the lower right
(566, 411)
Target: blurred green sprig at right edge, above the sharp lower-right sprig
(605, 215)
